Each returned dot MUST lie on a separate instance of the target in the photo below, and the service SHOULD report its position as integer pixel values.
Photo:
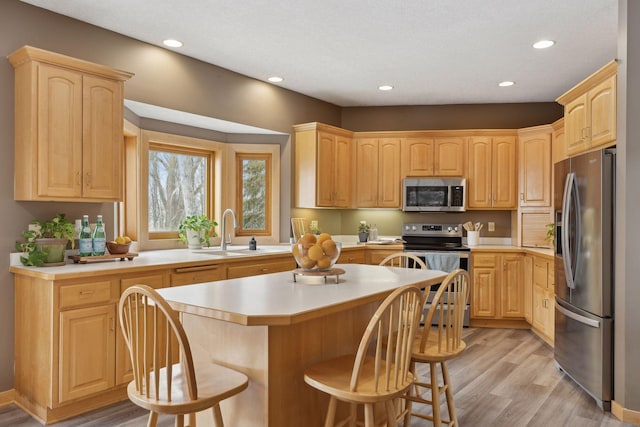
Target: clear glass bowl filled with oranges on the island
(316, 253)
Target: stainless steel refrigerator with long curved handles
(584, 205)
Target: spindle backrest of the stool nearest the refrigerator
(449, 303)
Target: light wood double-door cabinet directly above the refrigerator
(590, 111)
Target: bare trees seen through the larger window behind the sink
(177, 188)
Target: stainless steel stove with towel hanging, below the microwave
(440, 247)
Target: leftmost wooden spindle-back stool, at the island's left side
(155, 336)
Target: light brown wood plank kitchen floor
(505, 377)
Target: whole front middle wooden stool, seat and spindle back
(379, 371)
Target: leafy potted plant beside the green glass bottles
(46, 241)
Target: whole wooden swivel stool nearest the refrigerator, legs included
(435, 345)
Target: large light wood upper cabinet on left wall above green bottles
(68, 128)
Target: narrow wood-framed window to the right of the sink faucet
(254, 196)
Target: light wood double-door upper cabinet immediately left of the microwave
(378, 173)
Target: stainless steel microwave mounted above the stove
(433, 194)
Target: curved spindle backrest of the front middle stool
(385, 348)
